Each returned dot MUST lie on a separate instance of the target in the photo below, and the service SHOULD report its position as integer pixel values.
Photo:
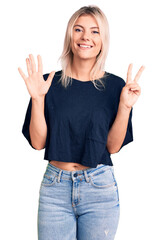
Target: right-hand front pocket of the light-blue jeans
(102, 179)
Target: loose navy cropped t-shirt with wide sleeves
(78, 120)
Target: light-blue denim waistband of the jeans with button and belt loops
(74, 174)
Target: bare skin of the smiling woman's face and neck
(85, 31)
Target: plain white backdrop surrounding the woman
(38, 27)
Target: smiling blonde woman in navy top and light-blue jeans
(80, 115)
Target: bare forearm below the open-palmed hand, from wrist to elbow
(38, 127)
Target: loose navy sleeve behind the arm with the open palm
(25, 128)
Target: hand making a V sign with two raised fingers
(131, 91)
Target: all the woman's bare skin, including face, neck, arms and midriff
(85, 32)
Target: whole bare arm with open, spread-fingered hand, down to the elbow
(37, 88)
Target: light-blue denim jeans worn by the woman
(82, 205)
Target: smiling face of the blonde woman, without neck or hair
(86, 40)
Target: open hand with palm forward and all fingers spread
(36, 85)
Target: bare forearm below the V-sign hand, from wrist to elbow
(118, 130)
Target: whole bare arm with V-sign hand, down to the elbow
(129, 95)
